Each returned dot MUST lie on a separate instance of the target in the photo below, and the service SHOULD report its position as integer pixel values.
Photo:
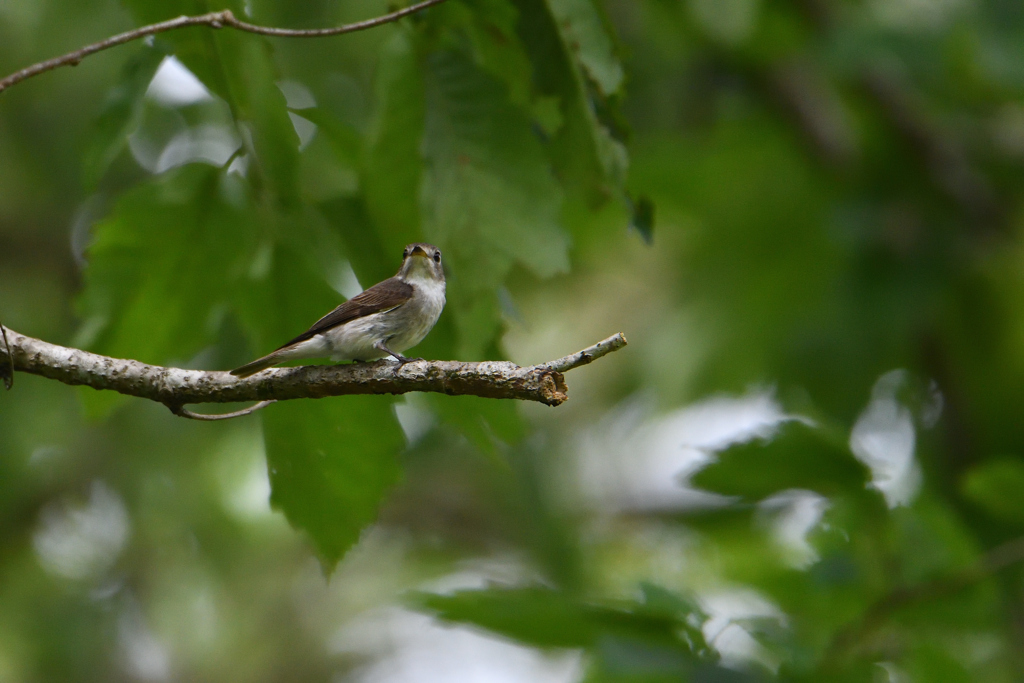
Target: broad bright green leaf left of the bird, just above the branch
(163, 266)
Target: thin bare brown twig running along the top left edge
(224, 19)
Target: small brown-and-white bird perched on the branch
(386, 320)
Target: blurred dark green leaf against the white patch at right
(799, 457)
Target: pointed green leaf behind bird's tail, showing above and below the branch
(333, 460)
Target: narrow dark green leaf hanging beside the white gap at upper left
(120, 115)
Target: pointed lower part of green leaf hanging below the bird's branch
(331, 463)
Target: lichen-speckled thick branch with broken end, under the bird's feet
(176, 388)
